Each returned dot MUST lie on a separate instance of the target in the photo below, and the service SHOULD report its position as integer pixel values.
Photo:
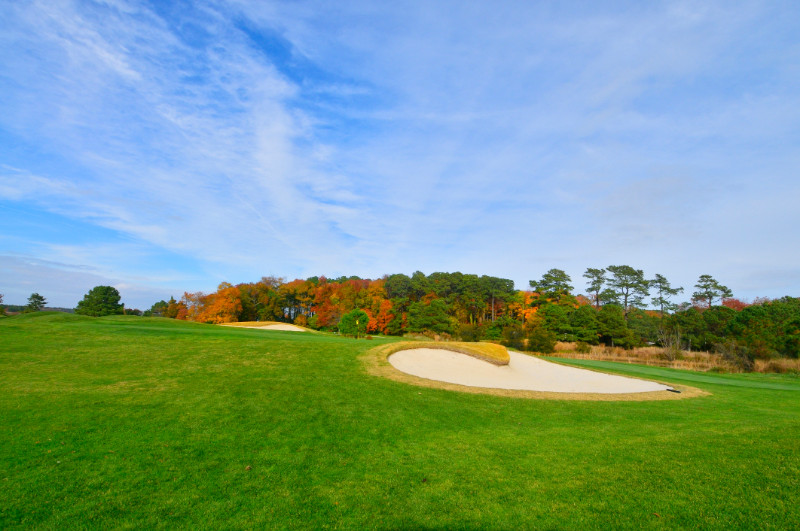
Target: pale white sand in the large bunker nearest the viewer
(522, 373)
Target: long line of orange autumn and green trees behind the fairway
(622, 307)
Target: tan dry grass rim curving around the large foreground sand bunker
(376, 363)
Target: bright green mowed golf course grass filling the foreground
(131, 422)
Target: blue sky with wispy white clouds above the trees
(163, 147)
